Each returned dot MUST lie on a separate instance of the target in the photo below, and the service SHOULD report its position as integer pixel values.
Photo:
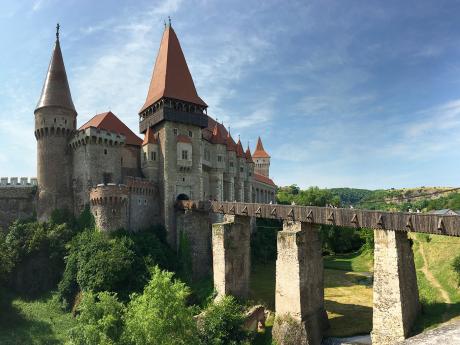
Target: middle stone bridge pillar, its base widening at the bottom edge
(299, 300)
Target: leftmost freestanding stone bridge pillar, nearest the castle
(231, 256)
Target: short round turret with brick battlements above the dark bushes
(109, 206)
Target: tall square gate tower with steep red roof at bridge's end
(175, 113)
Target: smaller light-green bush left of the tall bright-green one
(99, 320)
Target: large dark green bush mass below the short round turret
(119, 263)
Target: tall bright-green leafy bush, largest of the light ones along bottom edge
(160, 315)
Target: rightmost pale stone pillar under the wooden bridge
(396, 301)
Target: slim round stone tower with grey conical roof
(55, 122)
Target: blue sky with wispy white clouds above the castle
(343, 93)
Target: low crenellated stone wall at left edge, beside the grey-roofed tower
(16, 200)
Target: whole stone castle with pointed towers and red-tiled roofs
(131, 182)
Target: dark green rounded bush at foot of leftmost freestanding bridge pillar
(222, 323)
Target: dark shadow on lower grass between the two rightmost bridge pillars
(348, 319)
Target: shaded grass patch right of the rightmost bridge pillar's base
(433, 314)
